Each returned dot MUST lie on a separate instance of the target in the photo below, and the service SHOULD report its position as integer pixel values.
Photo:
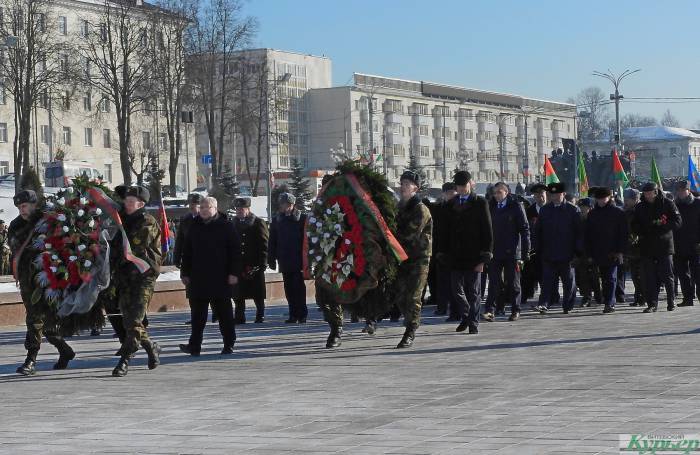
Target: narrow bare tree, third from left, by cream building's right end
(169, 25)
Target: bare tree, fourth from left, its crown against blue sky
(220, 30)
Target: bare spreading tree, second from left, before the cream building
(116, 64)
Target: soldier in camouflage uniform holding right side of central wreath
(414, 232)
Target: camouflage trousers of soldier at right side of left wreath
(134, 293)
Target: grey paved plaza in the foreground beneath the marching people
(550, 384)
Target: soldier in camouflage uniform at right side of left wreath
(133, 288)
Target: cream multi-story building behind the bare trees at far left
(77, 123)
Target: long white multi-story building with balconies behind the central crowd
(495, 136)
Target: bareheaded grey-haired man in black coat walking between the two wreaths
(209, 270)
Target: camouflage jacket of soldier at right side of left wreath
(143, 232)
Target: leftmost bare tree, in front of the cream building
(33, 65)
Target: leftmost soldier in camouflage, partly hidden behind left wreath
(40, 319)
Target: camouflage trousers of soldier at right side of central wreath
(408, 288)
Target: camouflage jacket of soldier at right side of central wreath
(414, 230)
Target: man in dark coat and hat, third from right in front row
(606, 238)
